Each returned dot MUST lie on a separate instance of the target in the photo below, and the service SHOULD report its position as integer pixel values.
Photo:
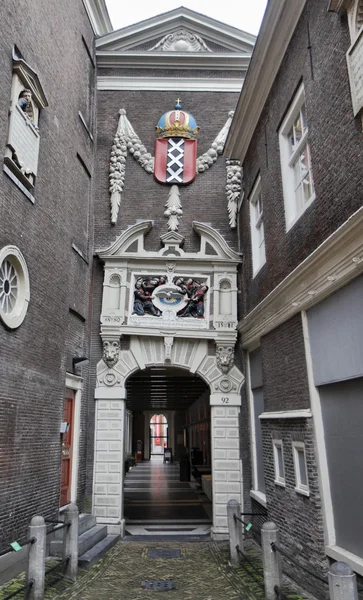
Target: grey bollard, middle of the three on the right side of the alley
(272, 569)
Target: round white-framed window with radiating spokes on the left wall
(14, 287)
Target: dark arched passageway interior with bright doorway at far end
(165, 493)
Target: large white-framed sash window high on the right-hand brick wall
(289, 159)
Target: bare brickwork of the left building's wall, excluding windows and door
(34, 358)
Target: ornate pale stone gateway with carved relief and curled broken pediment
(171, 305)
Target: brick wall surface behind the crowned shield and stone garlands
(143, 198)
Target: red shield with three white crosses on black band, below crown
(175, 160)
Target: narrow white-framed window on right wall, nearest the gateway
(257, 228)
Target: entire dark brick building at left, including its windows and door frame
(46, 246)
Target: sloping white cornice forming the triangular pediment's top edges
(150, 29)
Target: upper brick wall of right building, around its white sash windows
(336, 150)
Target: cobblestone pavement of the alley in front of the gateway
(202, 572)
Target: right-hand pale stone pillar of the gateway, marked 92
(226, 463)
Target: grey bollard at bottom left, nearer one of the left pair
(36, 562)
